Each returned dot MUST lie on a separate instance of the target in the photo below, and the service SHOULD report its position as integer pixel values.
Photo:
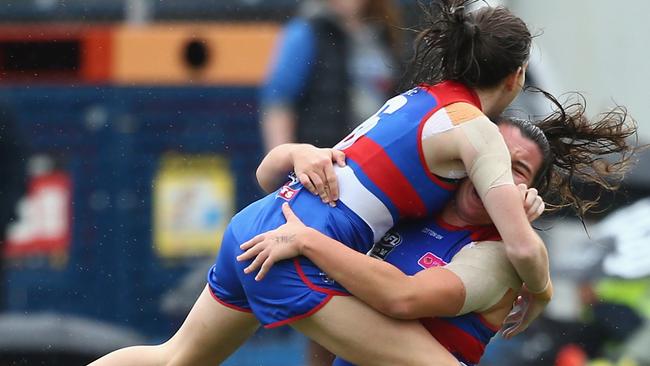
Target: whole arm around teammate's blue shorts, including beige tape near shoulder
(433, 292)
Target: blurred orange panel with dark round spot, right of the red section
(231, 54)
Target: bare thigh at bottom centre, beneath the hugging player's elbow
(358, 333)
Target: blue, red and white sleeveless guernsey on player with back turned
(387, 178)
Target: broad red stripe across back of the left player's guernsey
(387, 176)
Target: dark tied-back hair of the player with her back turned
(478, 49)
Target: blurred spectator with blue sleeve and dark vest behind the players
(335, 65)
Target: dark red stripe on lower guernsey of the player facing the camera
(454, 339)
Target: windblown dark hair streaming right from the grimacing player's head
(576, 150)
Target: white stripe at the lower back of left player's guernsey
(363, 203)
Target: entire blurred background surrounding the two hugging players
(130, 132)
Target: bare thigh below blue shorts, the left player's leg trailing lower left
(211, 332)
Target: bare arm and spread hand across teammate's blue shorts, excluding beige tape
(435, 292)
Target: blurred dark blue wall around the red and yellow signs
(110, 139)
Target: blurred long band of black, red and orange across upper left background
(157, 54)
